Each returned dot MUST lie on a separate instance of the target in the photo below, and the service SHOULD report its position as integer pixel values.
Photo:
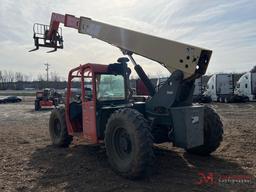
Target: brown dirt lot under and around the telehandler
(29, 163)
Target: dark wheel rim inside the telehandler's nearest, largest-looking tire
(122, 143)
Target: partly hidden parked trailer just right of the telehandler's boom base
(198, 95)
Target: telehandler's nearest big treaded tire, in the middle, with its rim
(129, 143)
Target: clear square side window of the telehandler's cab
(110, 87)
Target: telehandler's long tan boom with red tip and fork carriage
(192, 61)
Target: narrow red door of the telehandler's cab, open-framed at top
(89, 108)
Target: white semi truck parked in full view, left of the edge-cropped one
(220, 88)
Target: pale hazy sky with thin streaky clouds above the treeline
(226, 27)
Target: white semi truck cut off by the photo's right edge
(246, 86)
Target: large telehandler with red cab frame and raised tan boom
(106, 112)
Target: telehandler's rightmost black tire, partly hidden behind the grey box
(213, 131)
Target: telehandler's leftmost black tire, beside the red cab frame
(58, 128)
